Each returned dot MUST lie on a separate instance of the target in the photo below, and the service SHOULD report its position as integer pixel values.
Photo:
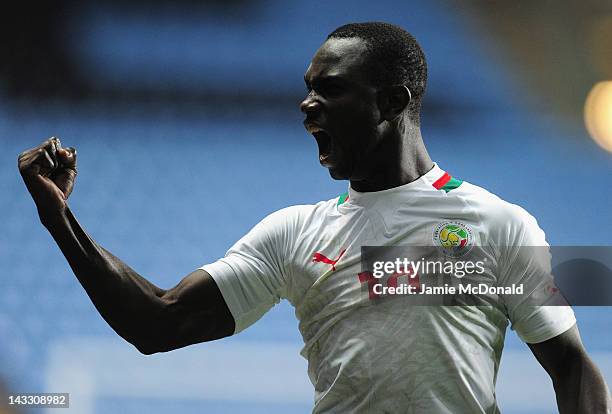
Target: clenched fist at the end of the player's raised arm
(49, 172)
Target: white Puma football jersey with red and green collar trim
(377, 356)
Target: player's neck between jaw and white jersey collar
(401, 158)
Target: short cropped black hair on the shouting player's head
(395, 58)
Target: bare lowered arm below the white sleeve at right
(578, 383)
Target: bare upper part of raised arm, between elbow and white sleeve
(195, 311)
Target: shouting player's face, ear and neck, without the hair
(372, 142)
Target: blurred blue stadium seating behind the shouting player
(169, 181)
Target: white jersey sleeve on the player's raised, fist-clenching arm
(252, 276)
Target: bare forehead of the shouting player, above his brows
(344, 58)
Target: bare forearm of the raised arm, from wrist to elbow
(128, 302)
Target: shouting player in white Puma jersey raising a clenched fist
(366, 354)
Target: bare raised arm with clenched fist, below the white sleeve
(150, 318)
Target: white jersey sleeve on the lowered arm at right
(540, 313)
